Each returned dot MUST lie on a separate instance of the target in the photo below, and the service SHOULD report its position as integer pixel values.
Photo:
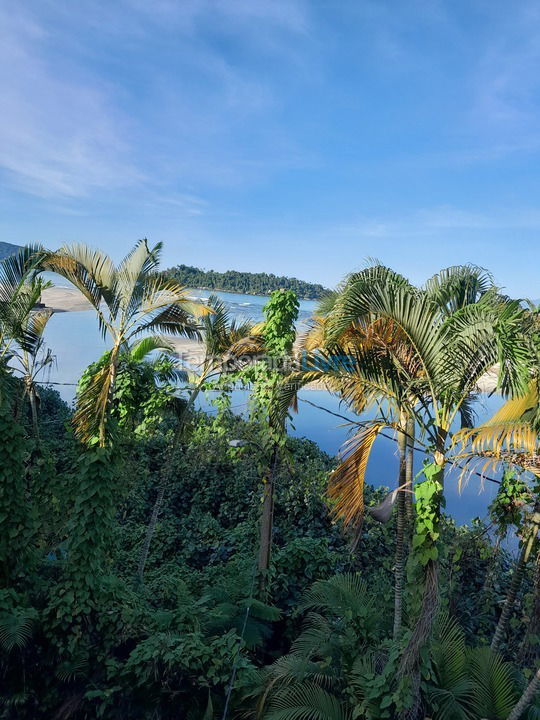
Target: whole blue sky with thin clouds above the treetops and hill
(288, 136)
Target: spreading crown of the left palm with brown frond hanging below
(130, 300)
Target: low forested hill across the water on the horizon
(244, 282)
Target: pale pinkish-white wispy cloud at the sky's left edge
(58, 136)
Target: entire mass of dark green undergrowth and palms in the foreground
(160, 562)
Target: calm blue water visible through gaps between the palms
(75, 339)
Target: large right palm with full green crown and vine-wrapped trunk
(449, 335)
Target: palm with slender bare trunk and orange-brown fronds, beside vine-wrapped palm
(391, 375)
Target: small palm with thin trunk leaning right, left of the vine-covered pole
(224, 339)
